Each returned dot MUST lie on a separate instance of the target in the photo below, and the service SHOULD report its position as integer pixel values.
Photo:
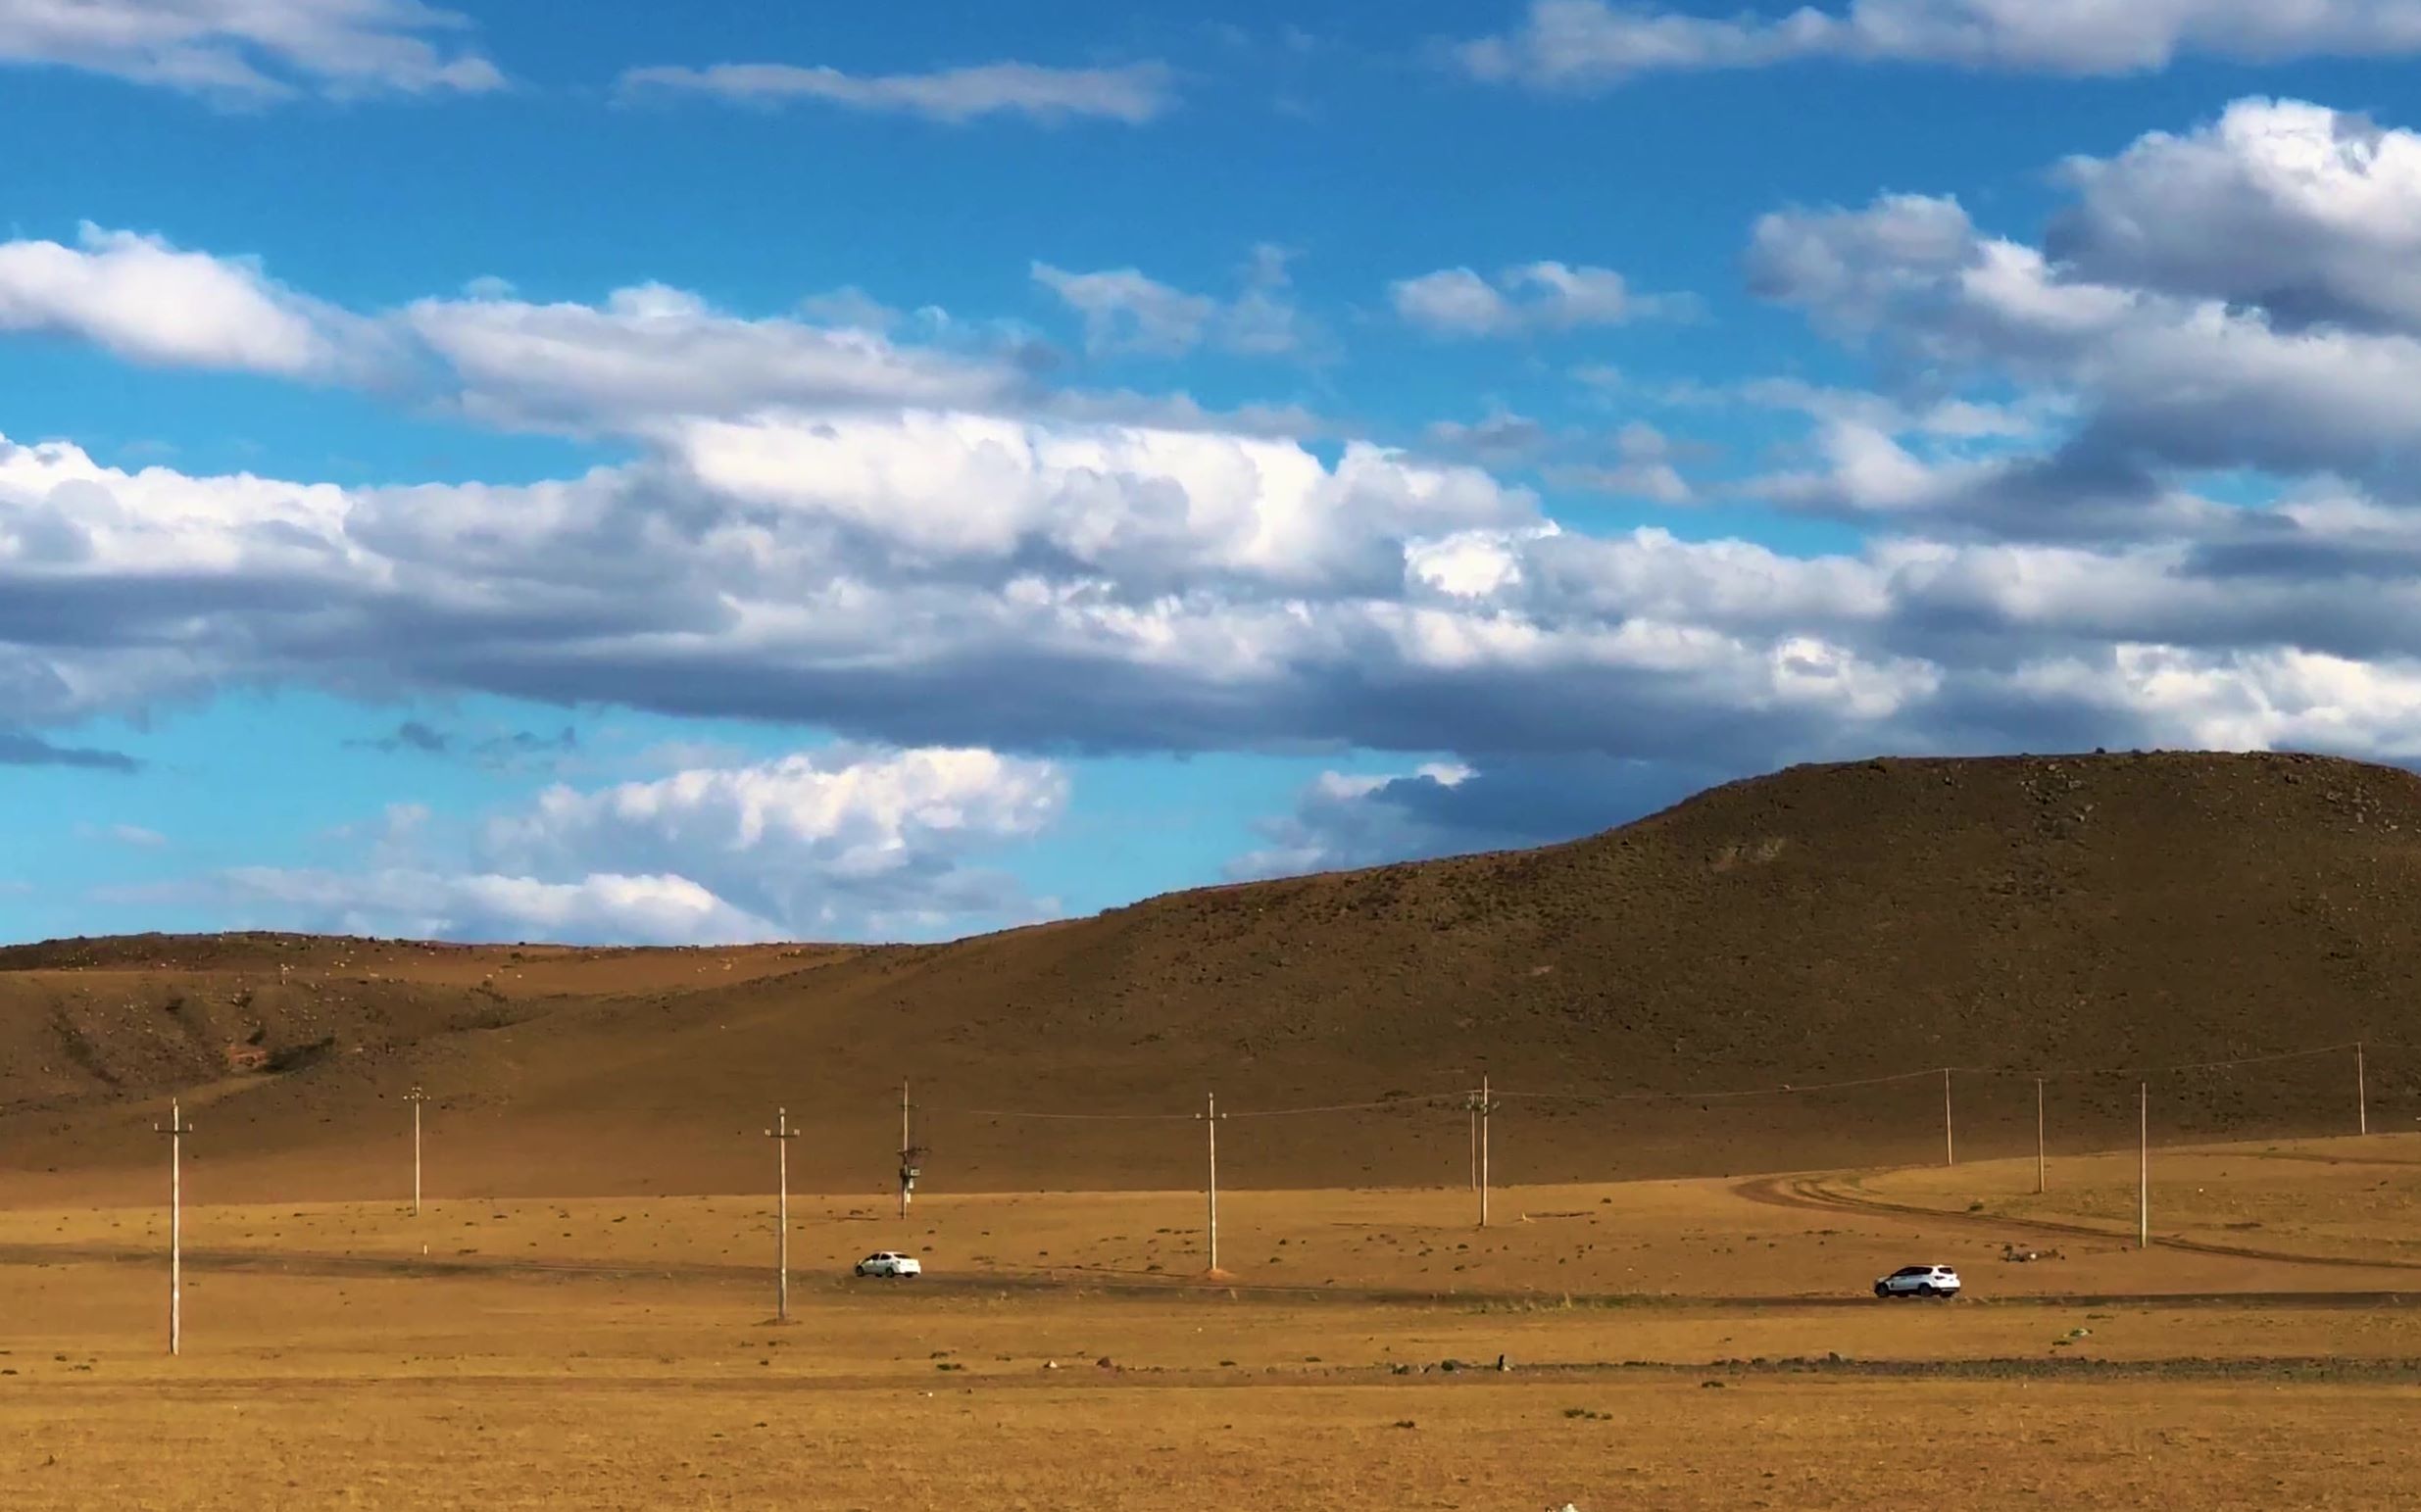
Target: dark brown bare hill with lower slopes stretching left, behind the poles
(1822, 925)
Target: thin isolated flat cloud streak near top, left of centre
(1137, 93)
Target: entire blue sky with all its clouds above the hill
(774, 471)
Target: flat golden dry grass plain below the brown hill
(1696, 1344)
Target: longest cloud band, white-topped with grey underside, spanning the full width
(1175, 591)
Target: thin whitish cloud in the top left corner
(253, 50)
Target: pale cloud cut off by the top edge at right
(1587, 45)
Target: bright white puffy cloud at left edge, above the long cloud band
(154, 304)
